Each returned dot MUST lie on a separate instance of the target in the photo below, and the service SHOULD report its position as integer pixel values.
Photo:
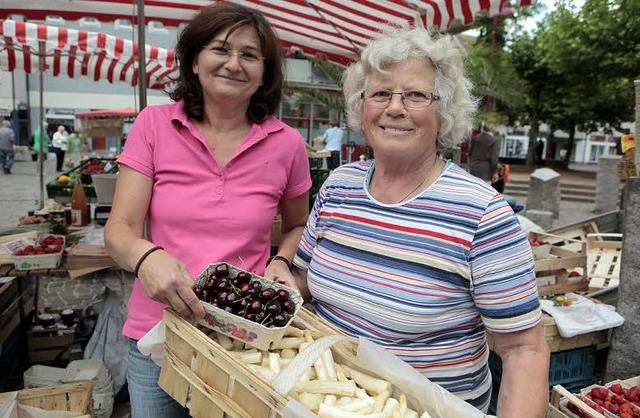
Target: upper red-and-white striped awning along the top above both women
(336, 28)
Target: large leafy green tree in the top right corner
(594, 52)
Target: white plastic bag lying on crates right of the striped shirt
(581, 316)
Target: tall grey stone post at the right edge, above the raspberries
(622, 360)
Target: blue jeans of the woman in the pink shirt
(147, 399)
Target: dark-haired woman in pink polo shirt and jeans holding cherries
(208, 173)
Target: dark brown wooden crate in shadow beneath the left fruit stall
(49, 345)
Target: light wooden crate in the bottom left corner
(68, 397)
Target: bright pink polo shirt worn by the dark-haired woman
(200, 213)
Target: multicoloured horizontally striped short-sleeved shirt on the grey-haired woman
(424, 278)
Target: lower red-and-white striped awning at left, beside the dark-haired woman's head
(77, 53)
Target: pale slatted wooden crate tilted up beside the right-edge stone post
(603, 260)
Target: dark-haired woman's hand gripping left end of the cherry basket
(167, 280)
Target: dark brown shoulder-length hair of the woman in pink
(210, 21)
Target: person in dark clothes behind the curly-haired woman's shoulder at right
(483, 156)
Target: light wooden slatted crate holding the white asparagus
(220, 385)
